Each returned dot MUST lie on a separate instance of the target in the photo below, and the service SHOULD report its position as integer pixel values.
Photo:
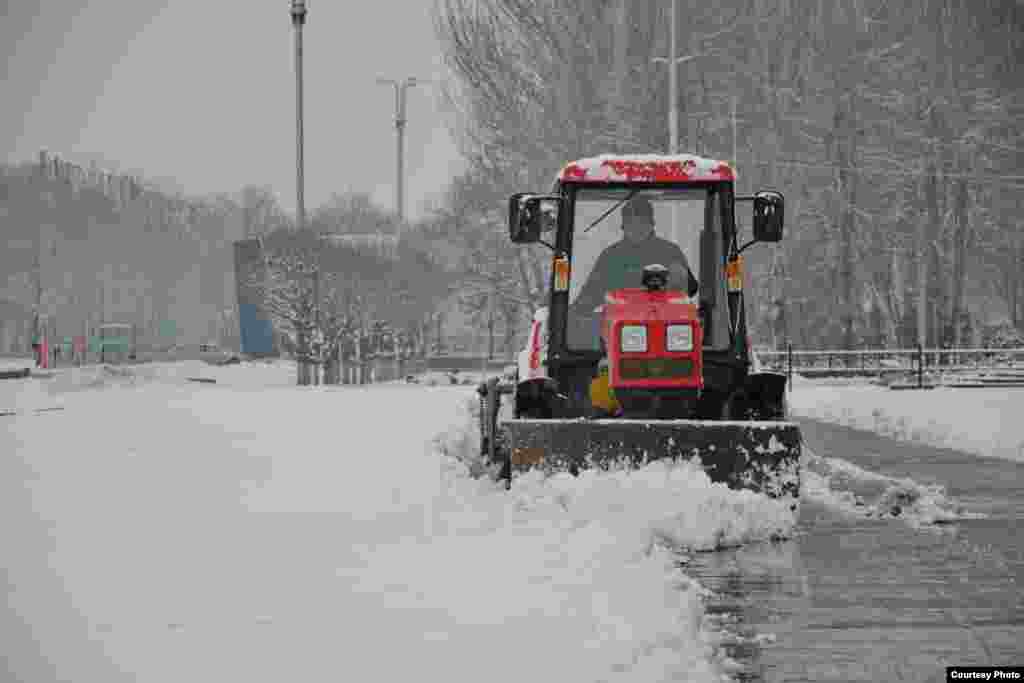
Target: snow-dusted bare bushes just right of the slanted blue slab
(338, 296)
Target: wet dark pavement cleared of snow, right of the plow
(870, 589)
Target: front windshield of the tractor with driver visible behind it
(657, 226)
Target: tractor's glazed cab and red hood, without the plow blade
(676, 351)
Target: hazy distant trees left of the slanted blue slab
(86, 250)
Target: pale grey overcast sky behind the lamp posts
(203, 93)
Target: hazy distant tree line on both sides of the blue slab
(86, 248)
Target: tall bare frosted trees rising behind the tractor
(893, 129)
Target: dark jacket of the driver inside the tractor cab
(622, 265)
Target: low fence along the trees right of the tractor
(877, 363)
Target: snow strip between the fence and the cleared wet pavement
(980, 421)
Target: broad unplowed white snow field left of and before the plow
(161, 530)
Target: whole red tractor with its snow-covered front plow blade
(643, 352)
